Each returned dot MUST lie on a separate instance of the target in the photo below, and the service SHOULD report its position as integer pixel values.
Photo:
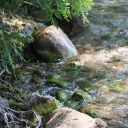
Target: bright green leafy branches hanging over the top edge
(59, 8)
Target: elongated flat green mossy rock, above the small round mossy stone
(59, 83)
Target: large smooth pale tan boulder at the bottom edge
(69, 118)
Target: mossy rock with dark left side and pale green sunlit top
(82, 96)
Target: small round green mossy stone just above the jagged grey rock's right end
(61, 96)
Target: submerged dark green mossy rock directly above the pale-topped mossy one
(83, 85)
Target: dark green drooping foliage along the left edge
(11, 44)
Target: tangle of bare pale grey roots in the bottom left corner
(20, 119)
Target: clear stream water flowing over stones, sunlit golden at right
(102, 62)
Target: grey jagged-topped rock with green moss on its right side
(43, 105)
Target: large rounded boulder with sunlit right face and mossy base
(53, 44)
